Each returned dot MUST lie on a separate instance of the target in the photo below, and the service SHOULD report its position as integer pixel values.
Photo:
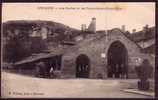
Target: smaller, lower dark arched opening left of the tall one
(82, 66)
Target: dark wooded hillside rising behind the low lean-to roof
(18, 46)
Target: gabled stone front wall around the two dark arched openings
(97, 50)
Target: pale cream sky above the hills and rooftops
(132, 15)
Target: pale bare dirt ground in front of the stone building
(15, 86)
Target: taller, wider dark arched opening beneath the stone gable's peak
(117, 60)
